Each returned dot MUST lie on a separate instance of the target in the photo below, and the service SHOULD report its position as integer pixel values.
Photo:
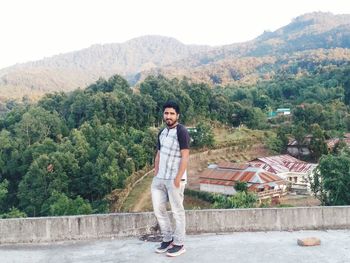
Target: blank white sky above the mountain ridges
(32, 30)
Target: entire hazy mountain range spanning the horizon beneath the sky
(309, 42)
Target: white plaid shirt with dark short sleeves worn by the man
(170, 144)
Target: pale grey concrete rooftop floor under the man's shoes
(248, 247)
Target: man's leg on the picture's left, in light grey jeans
(159, 201)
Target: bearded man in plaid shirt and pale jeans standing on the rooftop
(170, 179)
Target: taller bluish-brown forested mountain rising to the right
(309, 41)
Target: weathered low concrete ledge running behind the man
(50, 229)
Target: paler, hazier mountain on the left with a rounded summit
(77, 69)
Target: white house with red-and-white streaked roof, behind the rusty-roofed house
(287, 167)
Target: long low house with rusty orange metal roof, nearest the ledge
(222, 178)
